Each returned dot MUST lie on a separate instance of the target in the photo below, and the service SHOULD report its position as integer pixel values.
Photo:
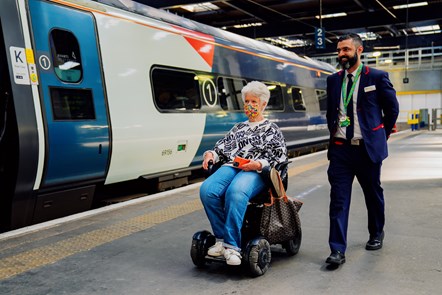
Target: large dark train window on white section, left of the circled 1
(176, 90)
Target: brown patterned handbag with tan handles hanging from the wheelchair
(280, 220)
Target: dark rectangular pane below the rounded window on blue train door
(72, 104)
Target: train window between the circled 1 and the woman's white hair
(229, 93)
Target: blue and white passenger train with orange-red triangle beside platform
(99, 93)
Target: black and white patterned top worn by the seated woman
(260, 141)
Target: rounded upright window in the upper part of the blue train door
(66, 56)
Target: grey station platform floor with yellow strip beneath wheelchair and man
(143, 246)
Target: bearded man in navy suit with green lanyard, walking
(362, 109)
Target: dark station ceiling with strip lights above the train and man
(292, 23)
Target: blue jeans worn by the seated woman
(225, 195)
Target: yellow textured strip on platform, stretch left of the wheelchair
(13, 265)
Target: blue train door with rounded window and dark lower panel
(74, 108)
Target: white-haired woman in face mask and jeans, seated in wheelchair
(225, 194)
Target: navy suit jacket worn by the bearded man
(377, 109)
